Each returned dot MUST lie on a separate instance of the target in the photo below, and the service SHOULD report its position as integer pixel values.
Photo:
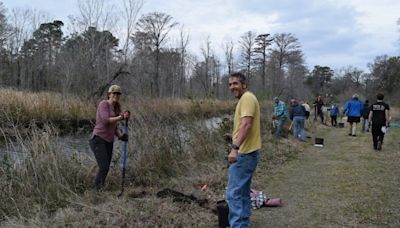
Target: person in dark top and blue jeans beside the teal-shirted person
(297, 115)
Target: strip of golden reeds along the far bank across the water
(71, 114)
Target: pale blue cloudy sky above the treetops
(334, 33)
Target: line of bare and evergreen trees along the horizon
(150, 58)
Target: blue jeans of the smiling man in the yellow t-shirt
(238, 192)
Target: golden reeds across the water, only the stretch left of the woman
(20, 108)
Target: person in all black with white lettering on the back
(379, 116)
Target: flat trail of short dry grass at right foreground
(344, 184)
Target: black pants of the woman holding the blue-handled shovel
(103, 153)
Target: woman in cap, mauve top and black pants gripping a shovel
(107, 117)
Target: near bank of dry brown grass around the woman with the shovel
(169, 147)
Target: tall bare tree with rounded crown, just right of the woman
(156, 27)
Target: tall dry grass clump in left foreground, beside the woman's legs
(42, 177)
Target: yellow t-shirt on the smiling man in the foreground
(248, 106)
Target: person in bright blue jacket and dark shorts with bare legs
(354, 109)
